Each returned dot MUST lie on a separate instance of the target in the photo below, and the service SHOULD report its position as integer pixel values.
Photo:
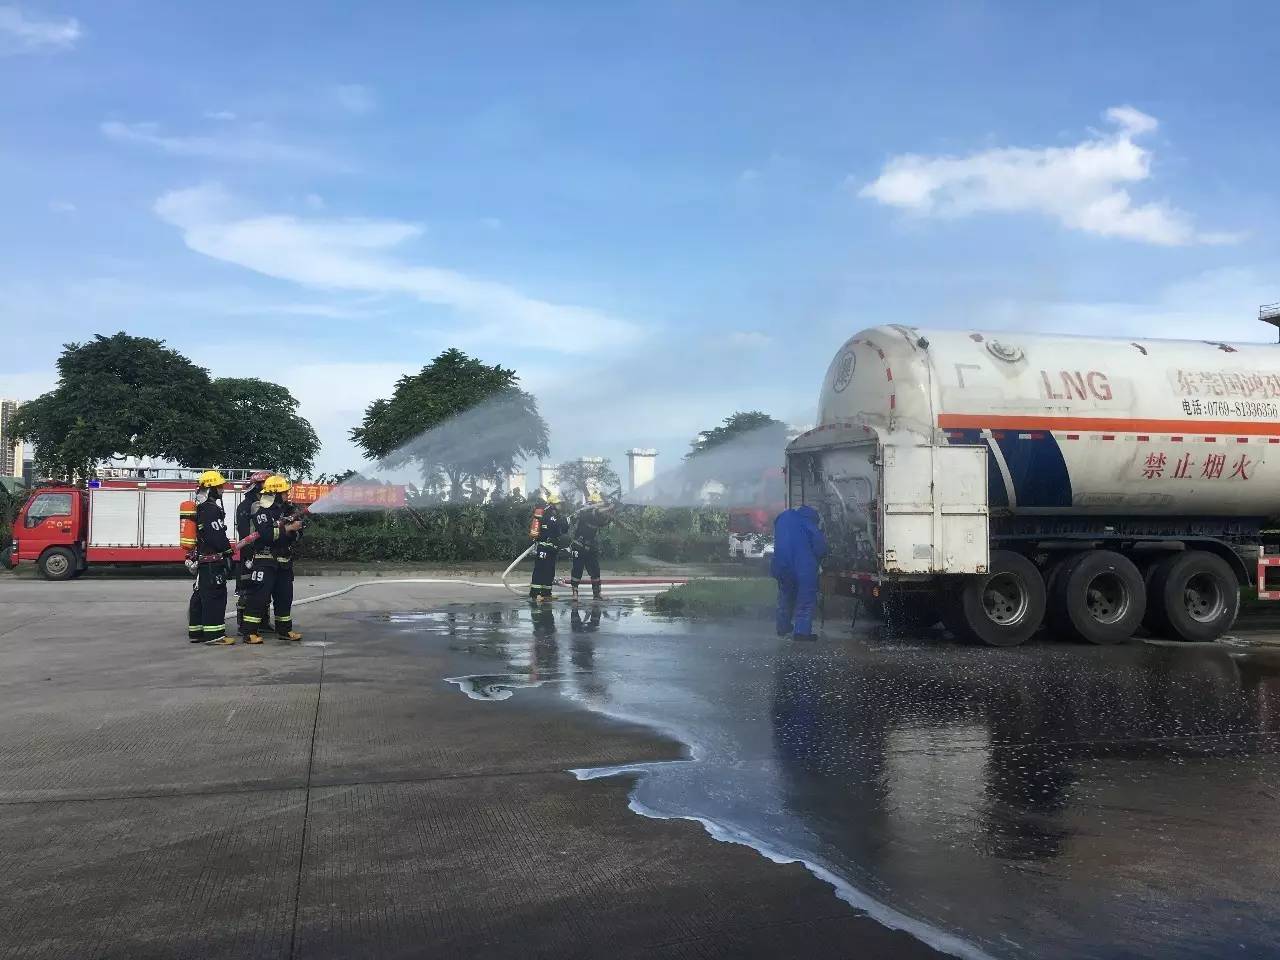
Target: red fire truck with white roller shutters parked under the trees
(116, 519)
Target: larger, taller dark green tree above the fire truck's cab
(121, 395)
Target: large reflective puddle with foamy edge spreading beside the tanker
(1045, 802)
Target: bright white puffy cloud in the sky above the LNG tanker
(1081, 186)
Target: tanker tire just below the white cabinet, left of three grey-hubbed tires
(1002, 607)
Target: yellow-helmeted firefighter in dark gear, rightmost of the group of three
(272, 578)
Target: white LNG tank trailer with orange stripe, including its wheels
(995, 481)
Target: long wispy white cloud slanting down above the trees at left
(356, 257)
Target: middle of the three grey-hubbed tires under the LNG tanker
(1099, 597)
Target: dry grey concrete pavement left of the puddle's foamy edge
(340, 799)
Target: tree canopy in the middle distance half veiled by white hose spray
(459, 420)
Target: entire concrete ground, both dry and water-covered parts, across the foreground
(400, 787)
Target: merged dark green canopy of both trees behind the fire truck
(136, 397)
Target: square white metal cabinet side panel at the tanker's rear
(935, 515)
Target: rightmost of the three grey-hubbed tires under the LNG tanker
(1199, 596)
